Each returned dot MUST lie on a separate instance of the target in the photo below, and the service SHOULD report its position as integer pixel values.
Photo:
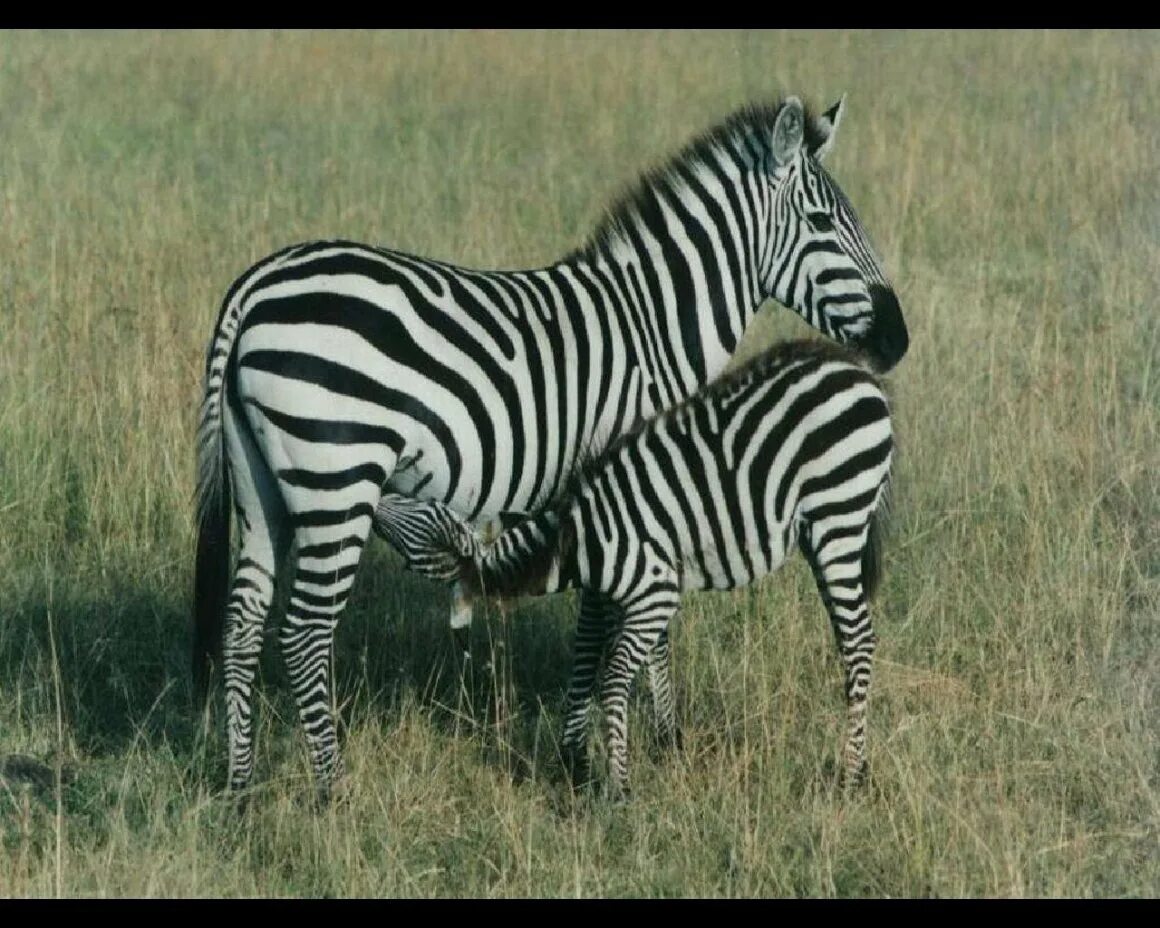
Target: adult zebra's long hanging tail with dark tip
(212, 574)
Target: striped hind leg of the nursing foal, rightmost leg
(838, 565)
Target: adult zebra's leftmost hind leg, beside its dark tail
(264, 527)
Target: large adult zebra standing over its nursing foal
(338, 372)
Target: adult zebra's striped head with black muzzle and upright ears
(820, 260)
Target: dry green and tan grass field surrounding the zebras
(1011, 182)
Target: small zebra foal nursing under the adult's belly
(794, 448)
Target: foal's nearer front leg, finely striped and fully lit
(644, 620)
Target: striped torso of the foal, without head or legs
(799, 440)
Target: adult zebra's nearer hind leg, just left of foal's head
(329, 549)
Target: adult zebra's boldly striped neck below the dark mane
(680, 270)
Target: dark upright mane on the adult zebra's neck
(746, 135)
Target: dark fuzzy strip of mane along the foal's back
(592, 462)
